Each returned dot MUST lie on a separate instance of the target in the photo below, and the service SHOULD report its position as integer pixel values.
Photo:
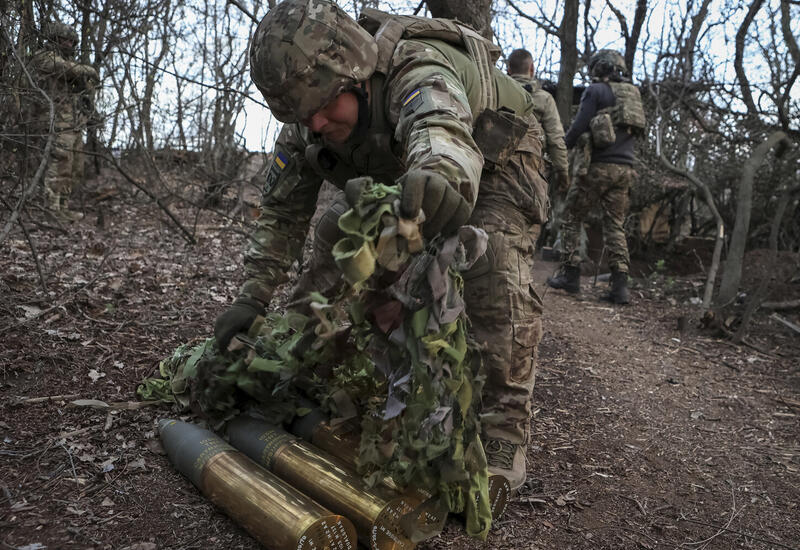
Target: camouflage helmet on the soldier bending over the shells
(306, 52)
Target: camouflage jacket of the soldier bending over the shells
(422, 113)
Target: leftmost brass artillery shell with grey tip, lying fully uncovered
(273, 512)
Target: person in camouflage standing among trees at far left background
(70, 85)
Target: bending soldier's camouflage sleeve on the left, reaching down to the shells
(287, 204)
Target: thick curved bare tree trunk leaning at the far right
(732, 272)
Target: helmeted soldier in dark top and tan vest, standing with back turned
(609, 119)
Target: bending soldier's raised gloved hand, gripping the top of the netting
(444, 207)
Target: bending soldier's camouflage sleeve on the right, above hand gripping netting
(433, 121)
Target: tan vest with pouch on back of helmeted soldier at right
(627, 114)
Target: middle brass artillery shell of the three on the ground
(375, 512)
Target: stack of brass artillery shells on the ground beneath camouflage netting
(301, 491)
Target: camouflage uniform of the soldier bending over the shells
(424, 99)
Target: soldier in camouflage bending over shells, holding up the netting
(398, 98)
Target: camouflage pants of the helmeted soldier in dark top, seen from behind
(607, 185)
